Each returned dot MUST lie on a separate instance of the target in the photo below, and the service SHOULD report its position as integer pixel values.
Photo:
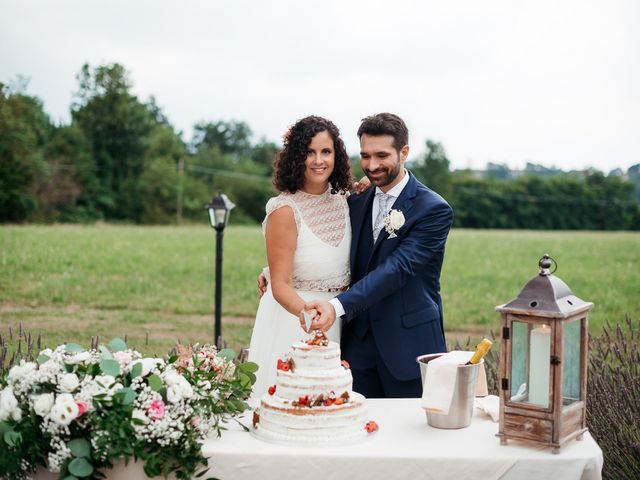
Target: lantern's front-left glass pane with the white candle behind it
(530, 363)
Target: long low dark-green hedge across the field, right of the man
(566, 202)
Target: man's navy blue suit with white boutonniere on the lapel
(393, 310)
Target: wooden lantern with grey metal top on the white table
(543, 362)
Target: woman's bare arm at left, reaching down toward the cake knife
(281, 239)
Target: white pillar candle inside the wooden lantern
(539, 357)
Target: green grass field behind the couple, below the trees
(155, 284)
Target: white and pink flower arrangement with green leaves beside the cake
(78, 412)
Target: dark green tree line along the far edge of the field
(120, 160)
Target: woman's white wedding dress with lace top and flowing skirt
(320, 272)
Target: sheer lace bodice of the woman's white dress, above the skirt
(321, 260)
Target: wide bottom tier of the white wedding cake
(283, 423)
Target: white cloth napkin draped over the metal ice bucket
(440, 381)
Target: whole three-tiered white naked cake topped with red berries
(312, 401)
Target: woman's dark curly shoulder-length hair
(289, 165)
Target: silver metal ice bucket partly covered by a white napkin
(461, 410)
